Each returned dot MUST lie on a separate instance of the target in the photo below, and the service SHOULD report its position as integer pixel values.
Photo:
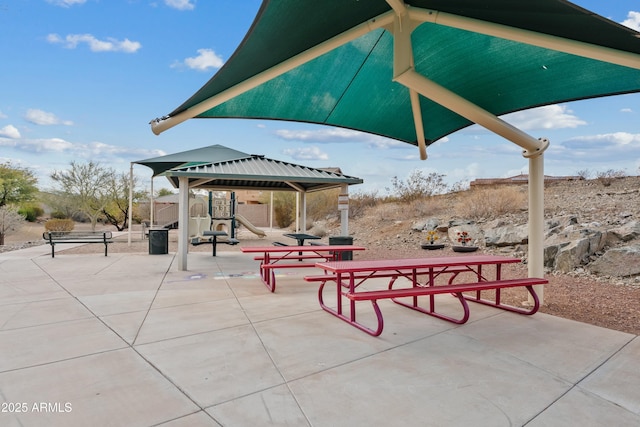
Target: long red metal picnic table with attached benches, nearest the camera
(422, 274)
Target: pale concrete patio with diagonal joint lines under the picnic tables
(128, 340)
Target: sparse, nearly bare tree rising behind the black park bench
(86, 187)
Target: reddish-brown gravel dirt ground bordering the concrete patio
(609, 304)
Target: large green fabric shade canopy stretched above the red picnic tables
(345, 66)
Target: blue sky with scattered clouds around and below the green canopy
(81, 79)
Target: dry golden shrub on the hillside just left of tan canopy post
(488, 203)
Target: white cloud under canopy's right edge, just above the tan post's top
(547, 117)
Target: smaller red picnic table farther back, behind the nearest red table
(278, 257)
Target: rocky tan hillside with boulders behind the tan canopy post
(592, 226)
